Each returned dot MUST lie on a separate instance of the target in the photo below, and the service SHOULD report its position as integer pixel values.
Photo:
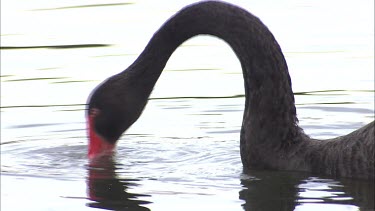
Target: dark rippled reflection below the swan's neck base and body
(280, 190)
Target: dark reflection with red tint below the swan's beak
(107, 191)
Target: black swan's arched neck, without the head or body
(269, 108)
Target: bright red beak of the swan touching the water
(98, 146)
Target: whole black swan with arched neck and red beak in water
(270, 137)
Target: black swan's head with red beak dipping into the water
(112, 108)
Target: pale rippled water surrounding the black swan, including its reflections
(183, 153)
